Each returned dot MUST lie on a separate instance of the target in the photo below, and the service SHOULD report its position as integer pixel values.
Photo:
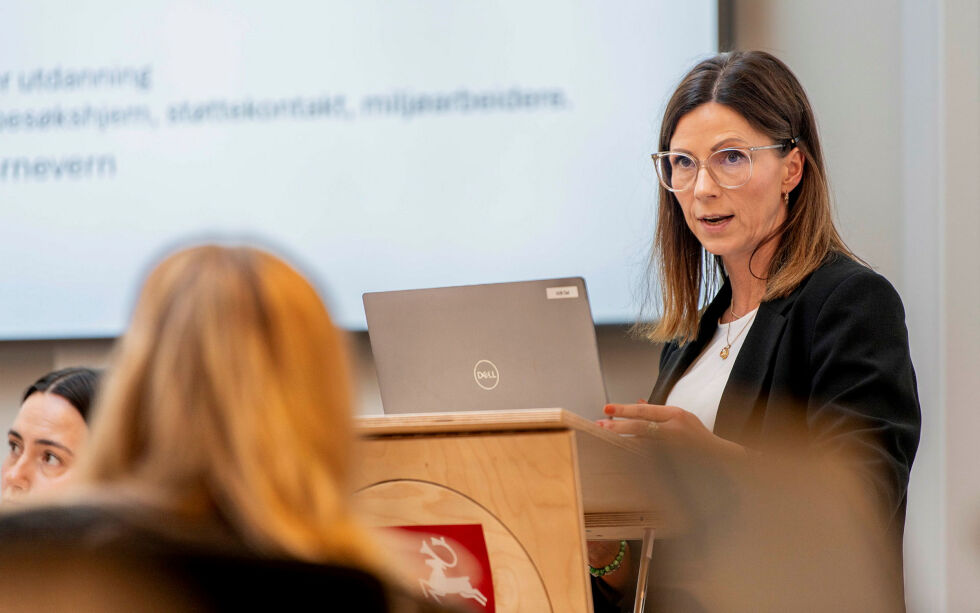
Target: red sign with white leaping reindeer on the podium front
(452, 565)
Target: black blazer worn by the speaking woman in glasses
(830, 360)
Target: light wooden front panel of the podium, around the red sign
(521, 487)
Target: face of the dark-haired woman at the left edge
(44, 440)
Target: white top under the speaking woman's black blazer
(699, 390)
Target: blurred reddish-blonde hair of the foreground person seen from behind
(228, 398)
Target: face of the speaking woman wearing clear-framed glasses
(731, 222)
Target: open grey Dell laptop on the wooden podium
(529, 344)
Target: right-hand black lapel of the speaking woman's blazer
(752, 367)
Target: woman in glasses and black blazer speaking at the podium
(777, 336)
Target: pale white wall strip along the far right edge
(959, 208)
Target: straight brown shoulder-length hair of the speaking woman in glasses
(764, 91)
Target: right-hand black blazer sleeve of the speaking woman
(863, 398)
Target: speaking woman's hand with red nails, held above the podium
(673, 425)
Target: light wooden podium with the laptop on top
(539, 482)
